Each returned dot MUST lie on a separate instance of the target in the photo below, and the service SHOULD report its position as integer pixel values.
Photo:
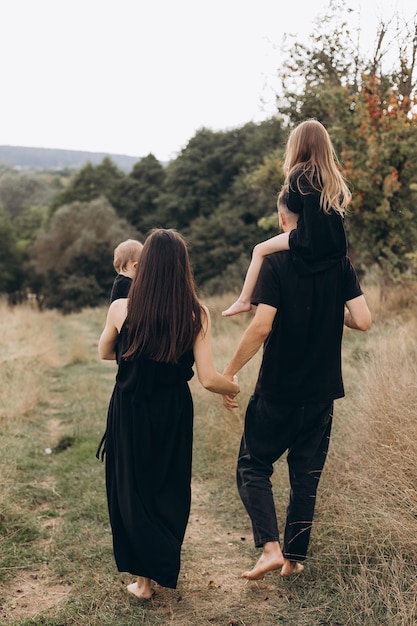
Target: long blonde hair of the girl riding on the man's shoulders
(310, 152)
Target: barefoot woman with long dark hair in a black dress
(155, 335)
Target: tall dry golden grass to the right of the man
(370, 485)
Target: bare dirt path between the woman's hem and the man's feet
(211, 590)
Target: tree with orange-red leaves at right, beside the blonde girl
(382, 167)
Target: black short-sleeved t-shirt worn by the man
(302, 355)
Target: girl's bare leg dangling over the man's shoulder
(260, 251)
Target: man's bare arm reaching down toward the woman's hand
(253, 337)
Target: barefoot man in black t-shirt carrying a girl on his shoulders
(300, 318)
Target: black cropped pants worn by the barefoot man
(269, 431)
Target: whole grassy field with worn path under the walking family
(56, 560)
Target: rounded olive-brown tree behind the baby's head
(71, 262)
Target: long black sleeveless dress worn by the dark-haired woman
(148, 449)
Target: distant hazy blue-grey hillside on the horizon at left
(50, 158)
